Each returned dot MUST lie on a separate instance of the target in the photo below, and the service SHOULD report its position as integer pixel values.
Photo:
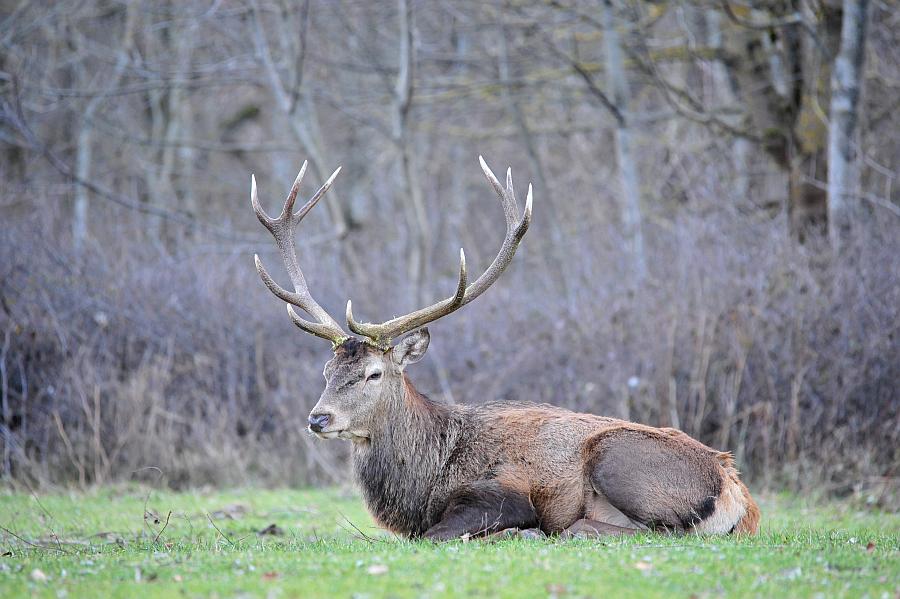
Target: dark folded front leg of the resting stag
(482, 508)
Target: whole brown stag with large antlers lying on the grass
(441, 471)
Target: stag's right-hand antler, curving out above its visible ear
(382, 333)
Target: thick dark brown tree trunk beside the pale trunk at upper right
(781, 75)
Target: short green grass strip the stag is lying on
(99, 544)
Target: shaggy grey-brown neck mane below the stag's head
(402, 462)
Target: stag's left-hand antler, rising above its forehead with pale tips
(282, 229)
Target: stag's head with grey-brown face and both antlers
(366, 373)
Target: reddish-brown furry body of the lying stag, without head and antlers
(423, 456)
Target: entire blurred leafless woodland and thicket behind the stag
(714, 246)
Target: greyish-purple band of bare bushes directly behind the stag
(116, 361)
